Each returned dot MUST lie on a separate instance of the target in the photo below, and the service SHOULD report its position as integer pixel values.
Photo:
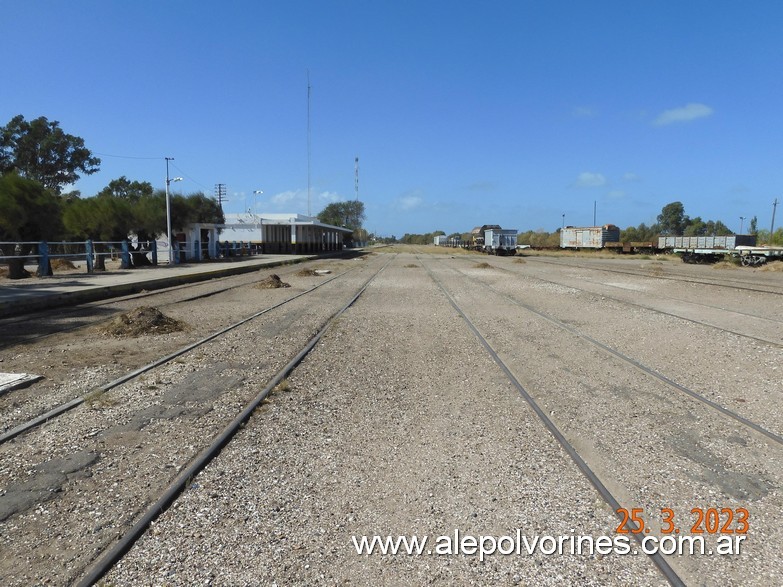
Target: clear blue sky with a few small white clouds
(461, 113)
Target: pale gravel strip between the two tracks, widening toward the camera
(413, 430)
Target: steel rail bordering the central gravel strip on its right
(657, 559)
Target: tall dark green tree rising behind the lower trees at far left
(40, 150)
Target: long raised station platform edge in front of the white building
(78, 286)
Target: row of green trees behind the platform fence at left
(38, 160)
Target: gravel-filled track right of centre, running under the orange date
(656, 403)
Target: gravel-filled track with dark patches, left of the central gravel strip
(165, 399)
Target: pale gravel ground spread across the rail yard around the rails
(399, 423)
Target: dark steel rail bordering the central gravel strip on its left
(115, 553)
